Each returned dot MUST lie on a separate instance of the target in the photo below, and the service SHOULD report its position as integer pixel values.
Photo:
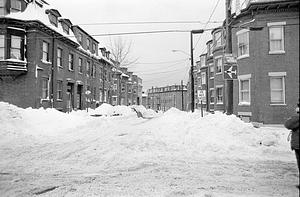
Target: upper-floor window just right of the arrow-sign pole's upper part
(243, 43)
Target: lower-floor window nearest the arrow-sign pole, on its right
(244, 89)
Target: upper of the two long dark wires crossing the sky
(148, 22)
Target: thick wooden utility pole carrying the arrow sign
(228, 50)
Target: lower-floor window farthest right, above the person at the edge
(277, 87)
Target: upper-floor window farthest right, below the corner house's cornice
(276, 37)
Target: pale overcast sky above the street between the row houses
(157, 64)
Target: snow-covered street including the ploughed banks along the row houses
(49, 153)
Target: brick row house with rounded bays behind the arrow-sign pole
(265, 41)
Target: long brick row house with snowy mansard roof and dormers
(46, 61)
